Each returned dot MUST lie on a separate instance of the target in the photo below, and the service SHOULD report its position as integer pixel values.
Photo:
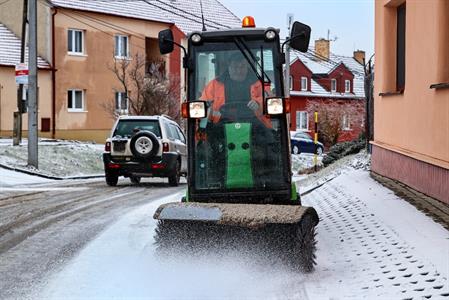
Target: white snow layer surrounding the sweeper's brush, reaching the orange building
(371, 245)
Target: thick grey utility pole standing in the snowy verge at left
(32, 87)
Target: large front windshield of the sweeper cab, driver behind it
(237, 146)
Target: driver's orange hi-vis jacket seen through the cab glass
(215, 92)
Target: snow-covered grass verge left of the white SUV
(55, 157)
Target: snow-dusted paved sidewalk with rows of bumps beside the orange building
(373, 244)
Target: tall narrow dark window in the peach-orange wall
(400, 49)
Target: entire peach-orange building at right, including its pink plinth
(411, 108)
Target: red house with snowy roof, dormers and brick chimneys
(319, 78)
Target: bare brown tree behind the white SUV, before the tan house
(149, 92)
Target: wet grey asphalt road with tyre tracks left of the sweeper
(42, 226)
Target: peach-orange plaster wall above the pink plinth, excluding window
(415, 123)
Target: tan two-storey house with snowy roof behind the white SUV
(80, 40)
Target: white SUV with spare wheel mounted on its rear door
(145, 146)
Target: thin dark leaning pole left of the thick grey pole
(20, 101)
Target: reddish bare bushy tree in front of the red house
(331, 117)
